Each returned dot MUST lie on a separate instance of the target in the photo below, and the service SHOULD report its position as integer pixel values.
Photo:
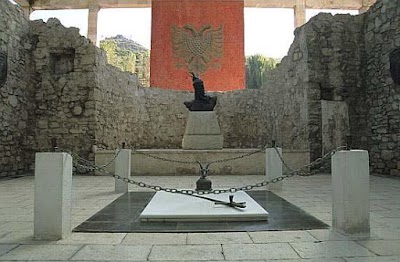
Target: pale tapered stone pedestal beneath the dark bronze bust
(202, 131)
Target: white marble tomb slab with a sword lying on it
(172, 207)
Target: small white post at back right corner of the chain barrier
(273, 167)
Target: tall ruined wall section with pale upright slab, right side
(335, 52)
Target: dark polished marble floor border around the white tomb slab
(122, 215)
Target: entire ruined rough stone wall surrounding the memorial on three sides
(334, 81)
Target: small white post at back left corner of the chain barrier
(122, 169)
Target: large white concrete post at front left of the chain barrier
(52, 199)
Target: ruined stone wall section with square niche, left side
(64, 104)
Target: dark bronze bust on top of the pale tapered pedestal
(202, 101)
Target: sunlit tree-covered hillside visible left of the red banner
(129, 56)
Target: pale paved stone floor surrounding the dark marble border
(91, 194)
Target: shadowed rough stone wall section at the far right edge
(382, 95)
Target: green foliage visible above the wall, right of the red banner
(256, 68)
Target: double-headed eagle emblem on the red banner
(197, 50)
